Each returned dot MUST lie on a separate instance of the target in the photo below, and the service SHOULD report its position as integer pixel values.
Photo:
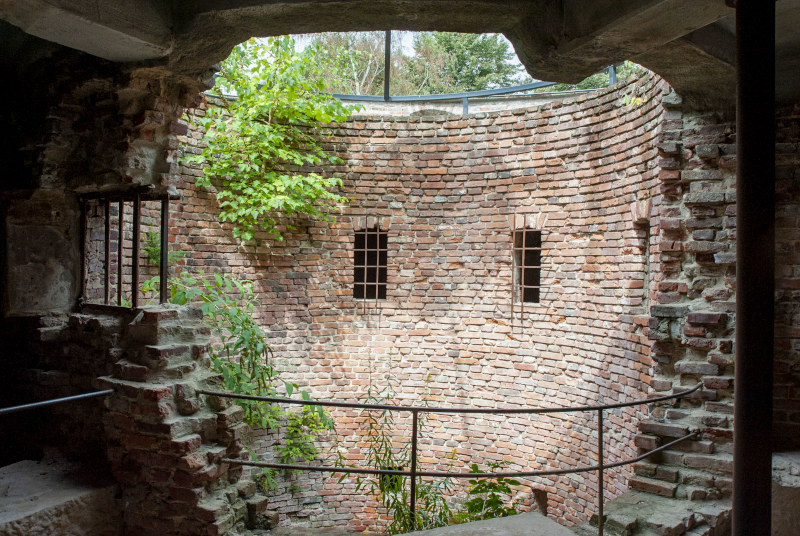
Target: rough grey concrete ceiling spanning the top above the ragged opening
(688, 42)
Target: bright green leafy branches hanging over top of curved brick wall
(261, 145)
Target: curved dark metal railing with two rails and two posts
(416, 410)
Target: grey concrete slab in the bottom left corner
(55, 498)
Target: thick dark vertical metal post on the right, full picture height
(755, 267)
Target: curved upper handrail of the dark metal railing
(434, 409)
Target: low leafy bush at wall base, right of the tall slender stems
(486, 500)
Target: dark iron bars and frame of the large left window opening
(135, 198)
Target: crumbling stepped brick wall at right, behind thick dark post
(692, 325)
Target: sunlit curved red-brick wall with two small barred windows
(445, 188)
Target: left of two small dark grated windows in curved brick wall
(369, 266)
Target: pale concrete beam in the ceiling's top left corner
(116, 30)
